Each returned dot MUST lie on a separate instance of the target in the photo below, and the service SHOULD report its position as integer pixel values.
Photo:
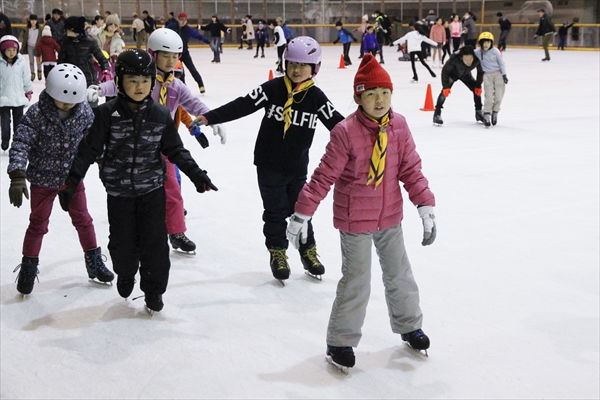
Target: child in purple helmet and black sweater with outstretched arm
(292, 105)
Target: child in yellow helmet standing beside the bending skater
(494, 77)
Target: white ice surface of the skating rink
(509, 290)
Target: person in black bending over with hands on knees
(458, 68)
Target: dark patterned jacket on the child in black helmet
(132, 144)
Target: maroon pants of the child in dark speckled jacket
(42, 200)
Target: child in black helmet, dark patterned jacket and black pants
(132, 133)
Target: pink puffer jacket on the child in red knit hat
(358, 208)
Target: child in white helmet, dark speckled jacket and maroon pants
(42, 152)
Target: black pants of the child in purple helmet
(279, 192)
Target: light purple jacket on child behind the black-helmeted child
(178, 94)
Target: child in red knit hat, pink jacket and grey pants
(369, 154)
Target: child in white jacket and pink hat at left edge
(15, 87)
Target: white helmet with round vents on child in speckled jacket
(66, 83)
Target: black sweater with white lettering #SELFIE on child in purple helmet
(278, 152)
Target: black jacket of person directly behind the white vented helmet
(81, 51)
